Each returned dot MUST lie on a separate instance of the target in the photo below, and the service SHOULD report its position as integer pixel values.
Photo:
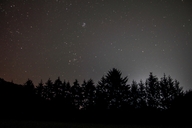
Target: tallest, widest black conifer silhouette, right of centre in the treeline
(111, 88)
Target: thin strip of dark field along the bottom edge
(43, 124)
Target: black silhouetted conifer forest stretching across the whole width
(110, 100)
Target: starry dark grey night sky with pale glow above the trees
(82, 39)
